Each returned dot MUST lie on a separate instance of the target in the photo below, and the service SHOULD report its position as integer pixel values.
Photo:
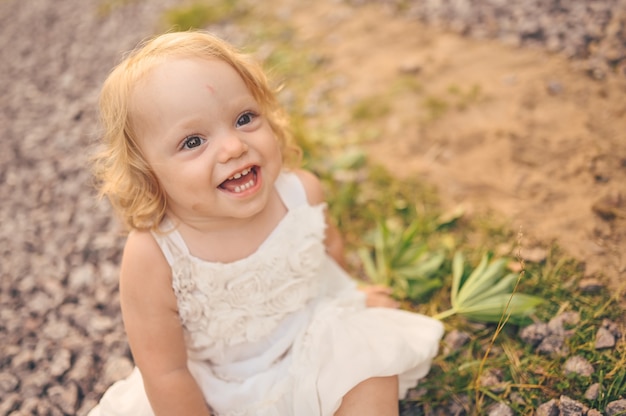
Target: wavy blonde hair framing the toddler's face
(121, 171)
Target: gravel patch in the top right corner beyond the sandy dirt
(593, 32)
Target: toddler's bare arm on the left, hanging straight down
(154, 330)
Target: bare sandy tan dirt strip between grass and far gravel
(521, 132)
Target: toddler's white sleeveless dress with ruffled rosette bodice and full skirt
(283, 331)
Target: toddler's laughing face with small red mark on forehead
(203, 134)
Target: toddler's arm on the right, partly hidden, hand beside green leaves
(375, 295)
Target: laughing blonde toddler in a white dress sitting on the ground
(231, 290)
